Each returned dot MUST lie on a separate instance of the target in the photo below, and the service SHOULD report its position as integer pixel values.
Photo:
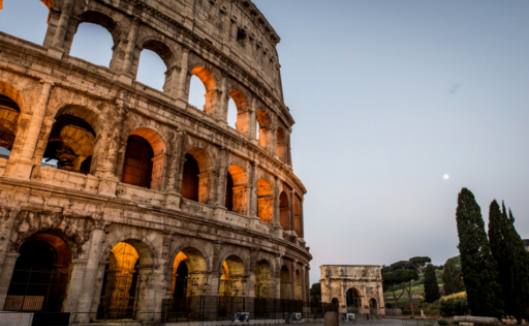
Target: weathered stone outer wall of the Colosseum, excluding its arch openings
(93, 211)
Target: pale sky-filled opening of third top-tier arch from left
(151, 70)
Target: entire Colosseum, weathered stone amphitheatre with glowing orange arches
(119, 201)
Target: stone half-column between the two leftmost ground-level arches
(86, 297)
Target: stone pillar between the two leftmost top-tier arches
(57, 27)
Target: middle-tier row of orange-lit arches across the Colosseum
(74, 138)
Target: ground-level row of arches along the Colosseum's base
(42, 274)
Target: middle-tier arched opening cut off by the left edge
(9, 112)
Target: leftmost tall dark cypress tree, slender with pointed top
(480, 273)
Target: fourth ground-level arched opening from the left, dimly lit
(231, 286)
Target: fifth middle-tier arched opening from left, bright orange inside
(236, 182)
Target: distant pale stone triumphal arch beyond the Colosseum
(354, 288)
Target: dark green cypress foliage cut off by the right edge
(512, 259)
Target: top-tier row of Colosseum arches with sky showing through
(150, 61)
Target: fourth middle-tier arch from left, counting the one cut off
(195, 178)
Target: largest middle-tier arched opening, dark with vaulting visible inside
(71, 142)
